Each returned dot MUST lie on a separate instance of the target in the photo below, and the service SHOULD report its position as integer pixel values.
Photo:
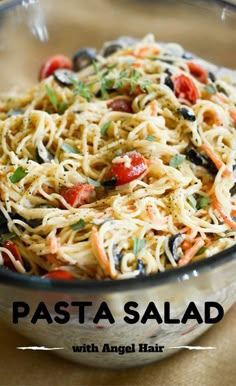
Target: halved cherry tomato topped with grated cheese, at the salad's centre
(124, 174)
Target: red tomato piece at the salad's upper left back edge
(54, 63)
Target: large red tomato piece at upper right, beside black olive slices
(185, 88)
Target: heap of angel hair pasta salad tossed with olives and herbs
(145, 101)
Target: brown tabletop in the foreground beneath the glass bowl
(187, 368)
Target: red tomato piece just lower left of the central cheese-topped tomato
(78, 195)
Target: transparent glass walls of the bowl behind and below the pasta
(206, 28)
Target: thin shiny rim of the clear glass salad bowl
(109, 286)
